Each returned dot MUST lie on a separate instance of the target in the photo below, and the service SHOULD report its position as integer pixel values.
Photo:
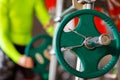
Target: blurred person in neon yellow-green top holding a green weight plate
(16, 21)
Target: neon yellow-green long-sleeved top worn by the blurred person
(16, 20)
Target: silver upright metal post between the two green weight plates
(53, 61)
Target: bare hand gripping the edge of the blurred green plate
(26, 62)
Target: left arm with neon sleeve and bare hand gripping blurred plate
(5, 43)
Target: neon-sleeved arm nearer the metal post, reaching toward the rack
(44, 17)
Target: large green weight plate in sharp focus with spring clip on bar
(87, 43)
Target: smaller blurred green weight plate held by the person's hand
(39, 54)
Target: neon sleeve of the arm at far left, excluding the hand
(5, 42)
